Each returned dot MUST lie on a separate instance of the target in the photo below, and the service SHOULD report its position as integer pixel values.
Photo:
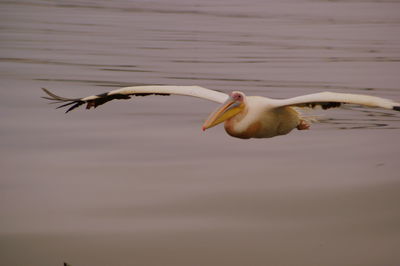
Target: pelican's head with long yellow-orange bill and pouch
(233, 106)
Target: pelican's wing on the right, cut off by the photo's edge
(331, 99)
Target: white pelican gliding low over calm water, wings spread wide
(243, 116)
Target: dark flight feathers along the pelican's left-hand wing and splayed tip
(102, 99)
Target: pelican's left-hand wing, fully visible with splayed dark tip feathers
(127, 92)
